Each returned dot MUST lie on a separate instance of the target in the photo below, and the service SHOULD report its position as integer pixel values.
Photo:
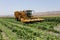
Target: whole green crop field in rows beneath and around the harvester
(10, 29)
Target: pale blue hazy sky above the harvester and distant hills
(8, 7)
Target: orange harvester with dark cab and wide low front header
(26, 16)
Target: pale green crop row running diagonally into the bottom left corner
(8, 32)
